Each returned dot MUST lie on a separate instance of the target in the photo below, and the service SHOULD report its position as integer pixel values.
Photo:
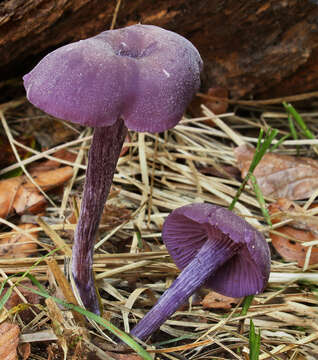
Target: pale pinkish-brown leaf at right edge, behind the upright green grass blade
(281, 176)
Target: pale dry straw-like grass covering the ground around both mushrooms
(158, 174)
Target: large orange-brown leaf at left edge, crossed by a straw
(20, 195)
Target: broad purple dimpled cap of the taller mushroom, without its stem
(142, 73)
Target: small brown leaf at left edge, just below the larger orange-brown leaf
(18, 245)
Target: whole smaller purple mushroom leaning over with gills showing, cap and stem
(215, 248)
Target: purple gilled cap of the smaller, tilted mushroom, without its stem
(188, 227)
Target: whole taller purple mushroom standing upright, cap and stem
(140, 77)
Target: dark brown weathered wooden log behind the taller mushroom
(248, 46)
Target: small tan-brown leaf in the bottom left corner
(9, 340)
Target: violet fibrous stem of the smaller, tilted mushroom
(209, 258)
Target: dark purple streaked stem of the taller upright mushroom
(102, 160)
